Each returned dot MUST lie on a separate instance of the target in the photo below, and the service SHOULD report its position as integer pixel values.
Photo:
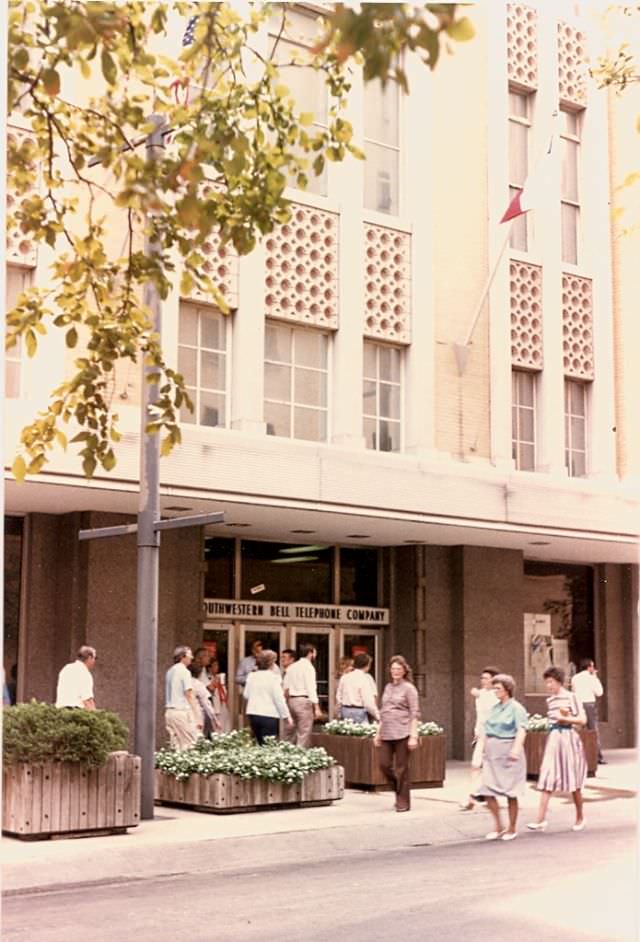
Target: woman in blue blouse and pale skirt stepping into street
(504, 767)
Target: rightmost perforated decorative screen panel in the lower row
(577, 327)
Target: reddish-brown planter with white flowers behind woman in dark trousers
(351, 744)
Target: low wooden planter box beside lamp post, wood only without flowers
(223, 794)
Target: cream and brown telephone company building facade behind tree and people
(418, 422)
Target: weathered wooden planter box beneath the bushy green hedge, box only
(58, 798)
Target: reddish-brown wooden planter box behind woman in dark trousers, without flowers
(360, 760)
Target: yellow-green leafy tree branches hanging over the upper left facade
(86, 77)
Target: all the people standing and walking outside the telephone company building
(197, 705)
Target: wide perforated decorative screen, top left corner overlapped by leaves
(302, 269)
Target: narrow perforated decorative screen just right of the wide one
(387, 284)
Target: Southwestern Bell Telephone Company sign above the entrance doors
(295, 611)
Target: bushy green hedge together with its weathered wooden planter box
(65, 772)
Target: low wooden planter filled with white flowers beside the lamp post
(229, 774)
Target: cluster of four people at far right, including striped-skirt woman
(498, 761)
